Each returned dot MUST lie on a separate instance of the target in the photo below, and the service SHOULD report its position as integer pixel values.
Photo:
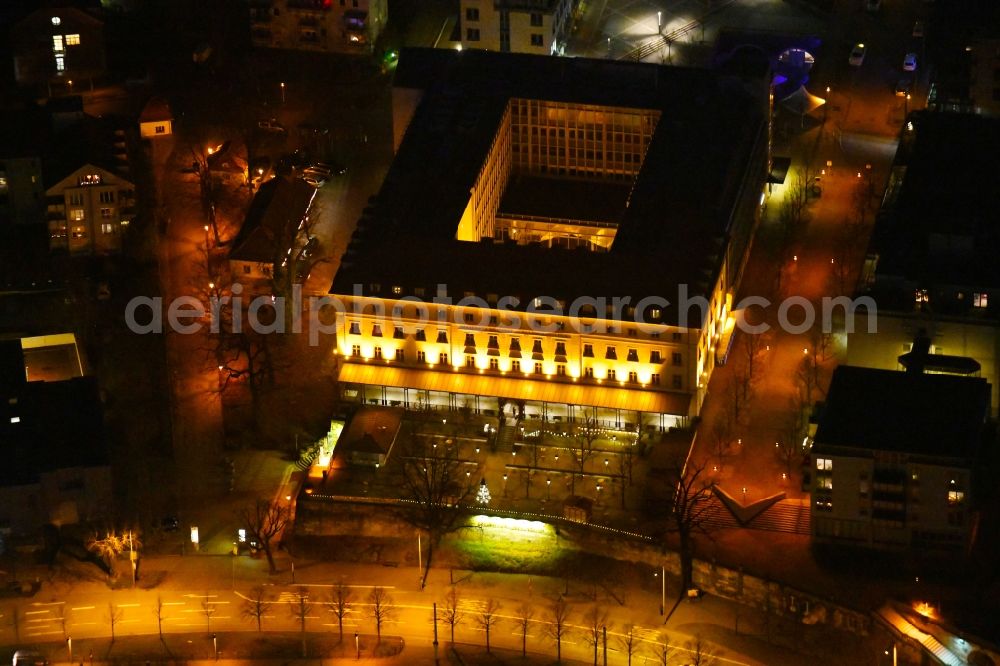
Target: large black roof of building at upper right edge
(941, 227)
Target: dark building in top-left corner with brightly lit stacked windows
(57, 46)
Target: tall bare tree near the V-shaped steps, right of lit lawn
(692, 494)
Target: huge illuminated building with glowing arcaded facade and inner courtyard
(535, 191)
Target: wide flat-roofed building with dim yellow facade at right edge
(931, 266)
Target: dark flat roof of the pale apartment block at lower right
(887, 410)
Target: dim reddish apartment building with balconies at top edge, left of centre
(333, 26)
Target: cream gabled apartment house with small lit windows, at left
(88, 211)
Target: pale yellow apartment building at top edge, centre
(516, 26)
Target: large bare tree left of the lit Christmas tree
(434, 479)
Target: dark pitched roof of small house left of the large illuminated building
(274, 216)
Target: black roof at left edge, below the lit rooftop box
(56, 425)
